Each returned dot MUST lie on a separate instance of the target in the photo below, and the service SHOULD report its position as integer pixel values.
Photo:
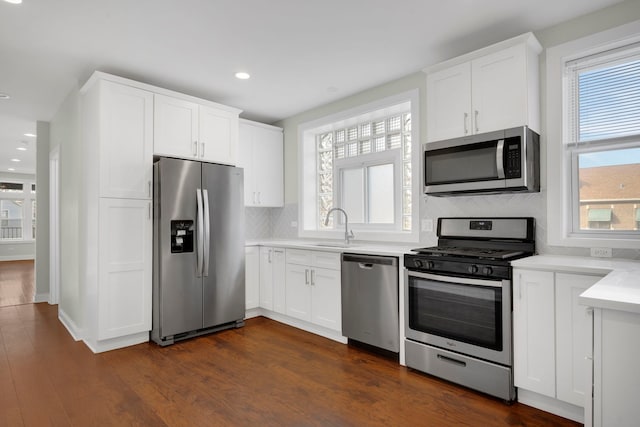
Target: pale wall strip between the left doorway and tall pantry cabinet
(65, 134)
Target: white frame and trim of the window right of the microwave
(562, 163)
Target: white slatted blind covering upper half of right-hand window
(604, 95)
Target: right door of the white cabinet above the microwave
(499, 90)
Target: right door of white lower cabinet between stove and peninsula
(573, 337)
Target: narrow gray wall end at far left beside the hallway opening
(42, 212)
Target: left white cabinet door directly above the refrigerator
(175, 127)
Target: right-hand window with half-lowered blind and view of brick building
(603, 107)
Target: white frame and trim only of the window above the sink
(307, 207)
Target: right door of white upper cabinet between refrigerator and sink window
(268, 166)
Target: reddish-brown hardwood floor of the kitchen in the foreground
(263, 374)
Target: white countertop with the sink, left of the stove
(355, 247)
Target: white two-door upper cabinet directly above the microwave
(490, 89)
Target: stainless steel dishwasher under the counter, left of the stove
(370, 300)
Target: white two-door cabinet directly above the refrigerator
(189, 130)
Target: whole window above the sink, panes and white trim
(361, 161)
